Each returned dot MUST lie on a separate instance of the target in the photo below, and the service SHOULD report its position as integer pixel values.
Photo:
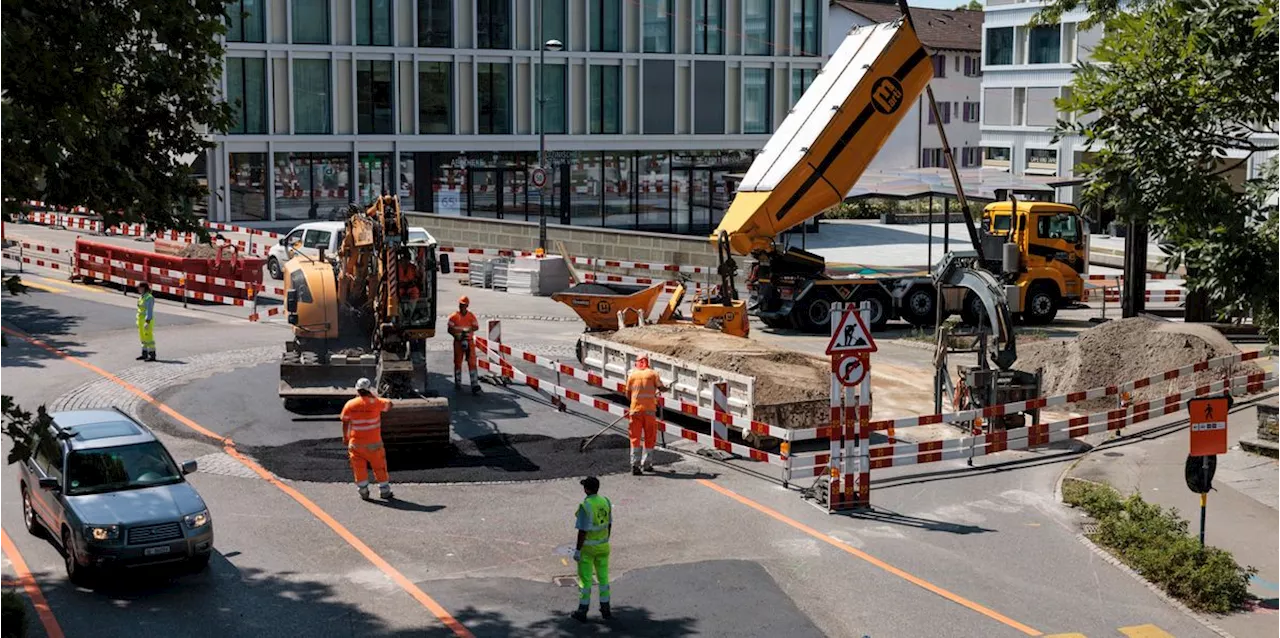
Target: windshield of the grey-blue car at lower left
(112, 470)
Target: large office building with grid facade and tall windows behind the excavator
(648, 107)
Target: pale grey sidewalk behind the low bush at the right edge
(1244, 514)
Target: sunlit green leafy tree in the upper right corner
(1174, 101)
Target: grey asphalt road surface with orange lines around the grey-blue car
(700, 550)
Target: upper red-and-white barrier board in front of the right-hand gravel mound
(1040, 403)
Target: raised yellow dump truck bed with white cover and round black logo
(831, 136)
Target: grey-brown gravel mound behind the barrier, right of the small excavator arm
(1127, 350)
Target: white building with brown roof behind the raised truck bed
(954, 39)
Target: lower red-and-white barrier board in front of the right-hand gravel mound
(1040, 435)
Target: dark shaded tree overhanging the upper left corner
(99, 104)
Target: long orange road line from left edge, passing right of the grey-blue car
(230, 448)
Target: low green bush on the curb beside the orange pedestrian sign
(1156, 544)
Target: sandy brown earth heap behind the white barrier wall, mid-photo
(792, 390)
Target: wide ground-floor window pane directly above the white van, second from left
(312, 185)
